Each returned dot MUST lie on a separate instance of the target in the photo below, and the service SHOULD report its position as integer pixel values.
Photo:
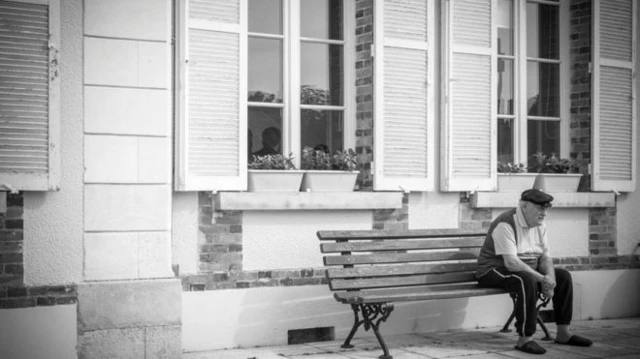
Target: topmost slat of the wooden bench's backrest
(393, 234)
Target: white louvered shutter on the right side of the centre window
(404, 110)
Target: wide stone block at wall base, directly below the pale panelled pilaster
(119, 304)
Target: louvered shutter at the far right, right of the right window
(614, 131)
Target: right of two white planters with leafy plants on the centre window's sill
(325, 172)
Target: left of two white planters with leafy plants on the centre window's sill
(274, 173)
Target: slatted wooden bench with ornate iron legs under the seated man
(371, 270)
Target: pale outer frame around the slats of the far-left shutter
(49, 181)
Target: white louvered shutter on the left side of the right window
(468, 130)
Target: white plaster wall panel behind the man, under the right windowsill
(568, 230)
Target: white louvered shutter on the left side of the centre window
(212, 107)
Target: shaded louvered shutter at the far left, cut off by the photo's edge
(29, 95)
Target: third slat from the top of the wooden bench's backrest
(380, 258)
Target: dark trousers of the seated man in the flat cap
(524, 285)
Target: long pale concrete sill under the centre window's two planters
(273, 201)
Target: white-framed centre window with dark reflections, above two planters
(298, 76)
